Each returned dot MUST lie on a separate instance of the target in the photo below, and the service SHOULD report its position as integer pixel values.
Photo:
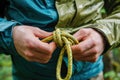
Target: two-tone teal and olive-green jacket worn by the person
(70, 15)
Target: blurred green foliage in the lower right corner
(114, 74)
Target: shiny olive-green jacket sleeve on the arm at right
(110, 25)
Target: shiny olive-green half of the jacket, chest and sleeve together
(103, 16)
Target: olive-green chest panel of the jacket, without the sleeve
(76, 13)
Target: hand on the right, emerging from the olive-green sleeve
(90, 47)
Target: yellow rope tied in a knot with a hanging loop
(64, 40)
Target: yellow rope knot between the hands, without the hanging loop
(62, 38)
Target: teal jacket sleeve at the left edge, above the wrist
(6, 41)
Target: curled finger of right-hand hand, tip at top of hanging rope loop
(83, 46)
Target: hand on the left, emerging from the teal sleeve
(28, 45)
